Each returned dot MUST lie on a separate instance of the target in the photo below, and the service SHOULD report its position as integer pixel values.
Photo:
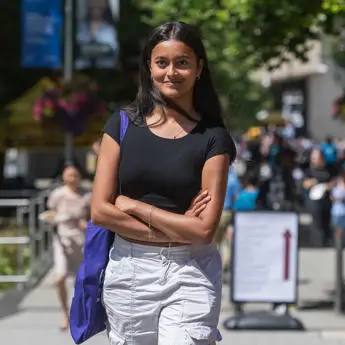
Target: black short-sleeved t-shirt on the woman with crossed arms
(165, 172)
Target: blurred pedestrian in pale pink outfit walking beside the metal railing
(70, 205)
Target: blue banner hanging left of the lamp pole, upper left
(41, 33)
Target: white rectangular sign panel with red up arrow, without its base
(265, 263)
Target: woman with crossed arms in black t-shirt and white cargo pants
(163, 281)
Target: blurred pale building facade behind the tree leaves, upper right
(309, 89)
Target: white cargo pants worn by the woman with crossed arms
(162, 295)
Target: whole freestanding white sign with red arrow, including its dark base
(264, 269)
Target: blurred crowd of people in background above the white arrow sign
(281, 174)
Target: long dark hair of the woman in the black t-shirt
(205, 100)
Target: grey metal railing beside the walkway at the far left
(31, 234)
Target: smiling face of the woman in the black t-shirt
(174, 69)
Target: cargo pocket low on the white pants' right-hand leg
(202, 335)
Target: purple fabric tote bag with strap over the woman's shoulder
(87, 314)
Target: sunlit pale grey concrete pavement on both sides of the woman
(32, 318)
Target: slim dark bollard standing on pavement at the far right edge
(339, 290)
